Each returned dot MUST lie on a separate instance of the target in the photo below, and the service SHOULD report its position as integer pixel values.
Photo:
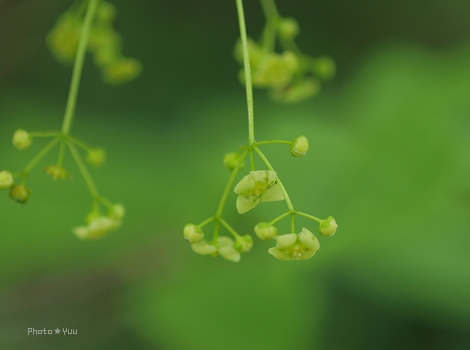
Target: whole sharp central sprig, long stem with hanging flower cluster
(259, 185)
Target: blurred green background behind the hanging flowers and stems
(389, 158)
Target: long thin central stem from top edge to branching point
(247, 68)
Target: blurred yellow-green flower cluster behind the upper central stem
(290, 76)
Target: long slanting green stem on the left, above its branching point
(77, 68)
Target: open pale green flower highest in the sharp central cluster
(259, 186)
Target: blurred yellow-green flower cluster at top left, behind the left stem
(104, 43)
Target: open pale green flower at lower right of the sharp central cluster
(293, 246)
